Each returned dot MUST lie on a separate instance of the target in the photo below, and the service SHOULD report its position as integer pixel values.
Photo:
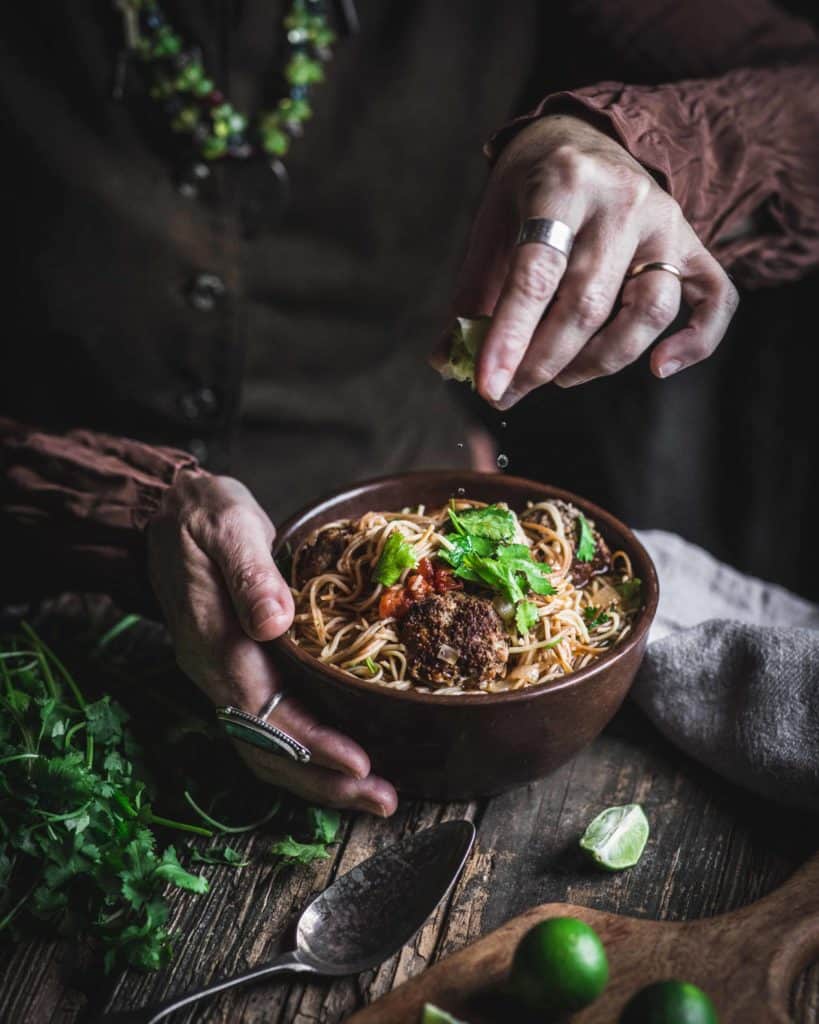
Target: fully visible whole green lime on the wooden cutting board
(561, 966)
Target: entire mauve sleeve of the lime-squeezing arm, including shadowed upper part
(740, 151)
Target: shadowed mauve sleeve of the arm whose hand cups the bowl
(73, 513)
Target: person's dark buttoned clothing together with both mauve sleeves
(291, 355)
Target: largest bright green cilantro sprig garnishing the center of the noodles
(483, 551)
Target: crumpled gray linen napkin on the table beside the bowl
(732, 673)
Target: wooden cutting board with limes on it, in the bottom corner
(747, 961)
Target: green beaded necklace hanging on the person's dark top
(178, 80)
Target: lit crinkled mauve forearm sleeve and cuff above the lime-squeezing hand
(740, 154)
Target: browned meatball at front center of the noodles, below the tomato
(454, 639)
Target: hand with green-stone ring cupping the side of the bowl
(223, 596)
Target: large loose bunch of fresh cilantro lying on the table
(76, 816)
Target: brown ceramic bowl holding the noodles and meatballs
(460, 747)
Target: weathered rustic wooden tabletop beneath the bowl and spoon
(713, 848)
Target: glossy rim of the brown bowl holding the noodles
(476, 479)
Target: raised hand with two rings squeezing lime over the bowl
(551, 316)
